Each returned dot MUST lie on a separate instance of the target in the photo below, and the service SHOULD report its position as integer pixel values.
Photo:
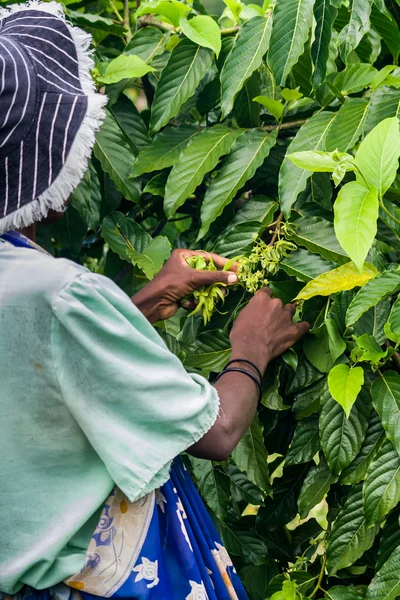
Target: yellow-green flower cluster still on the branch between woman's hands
(256, 269)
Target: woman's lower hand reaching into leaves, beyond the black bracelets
(264, 329)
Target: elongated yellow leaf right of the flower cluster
(345, 277)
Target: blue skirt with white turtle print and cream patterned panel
(162, 547)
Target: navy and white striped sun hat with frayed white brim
(49, 111)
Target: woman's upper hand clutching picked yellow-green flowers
(160, 298)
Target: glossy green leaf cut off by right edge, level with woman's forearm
(385, 392)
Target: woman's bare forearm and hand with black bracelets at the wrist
(263, 330)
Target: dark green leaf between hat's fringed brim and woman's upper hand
(137, 237)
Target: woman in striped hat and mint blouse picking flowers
(94, 407)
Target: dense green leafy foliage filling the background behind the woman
(239, 134)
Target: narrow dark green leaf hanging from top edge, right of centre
(325, 14)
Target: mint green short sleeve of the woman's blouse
(131, 396)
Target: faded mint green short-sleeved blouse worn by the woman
(90, 397)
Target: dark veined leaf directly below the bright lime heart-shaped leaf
(342, 436)
